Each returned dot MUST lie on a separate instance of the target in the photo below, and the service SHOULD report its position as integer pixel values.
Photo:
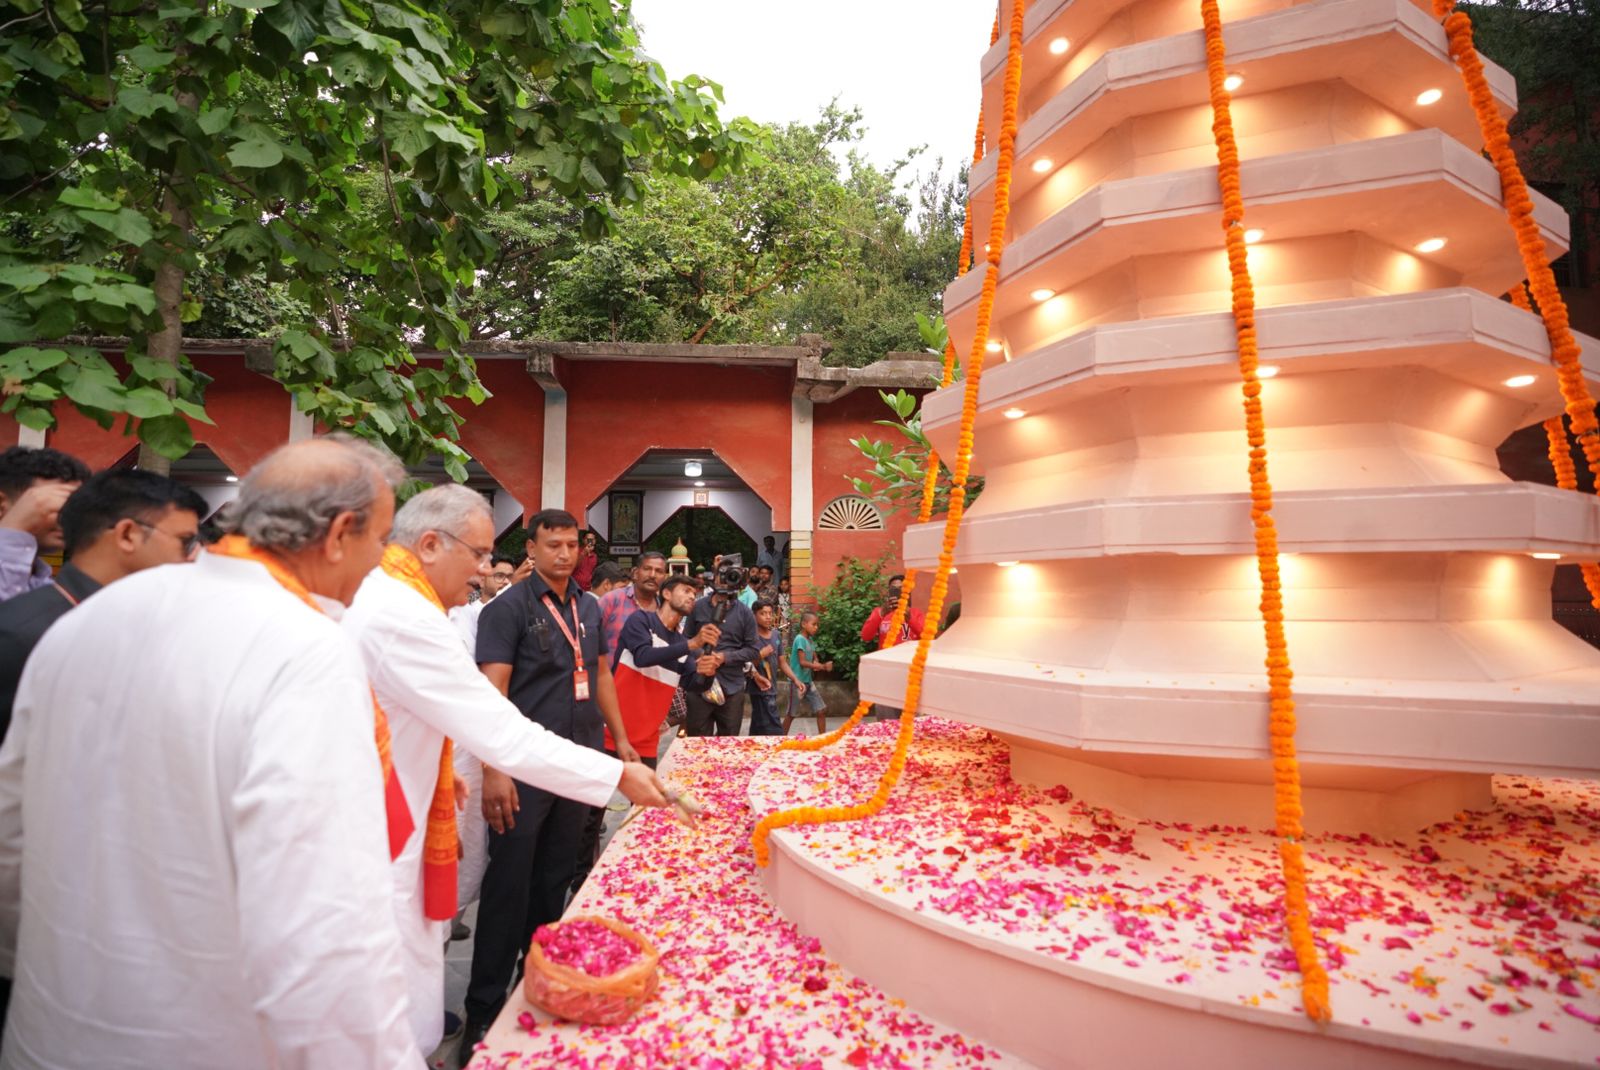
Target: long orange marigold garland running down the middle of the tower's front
(1286, 765)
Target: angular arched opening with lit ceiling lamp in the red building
(692, 495)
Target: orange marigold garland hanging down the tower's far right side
(1535, 260)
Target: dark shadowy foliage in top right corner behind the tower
(1551, 47)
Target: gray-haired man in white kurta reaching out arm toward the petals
(433, 693)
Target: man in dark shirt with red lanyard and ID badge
(540, 642)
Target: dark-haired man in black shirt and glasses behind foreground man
(114, 525)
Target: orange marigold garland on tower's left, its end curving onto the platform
(964, 460)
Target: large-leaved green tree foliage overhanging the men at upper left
(342, 159)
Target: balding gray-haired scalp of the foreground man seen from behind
(292, 498)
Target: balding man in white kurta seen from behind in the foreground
(193, 832)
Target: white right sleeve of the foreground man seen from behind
(322, 952)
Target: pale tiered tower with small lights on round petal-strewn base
(1113, 577)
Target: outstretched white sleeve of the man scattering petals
(426, 673)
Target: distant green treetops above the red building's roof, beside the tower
(794, 246)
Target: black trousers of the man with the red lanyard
(526, 885)
